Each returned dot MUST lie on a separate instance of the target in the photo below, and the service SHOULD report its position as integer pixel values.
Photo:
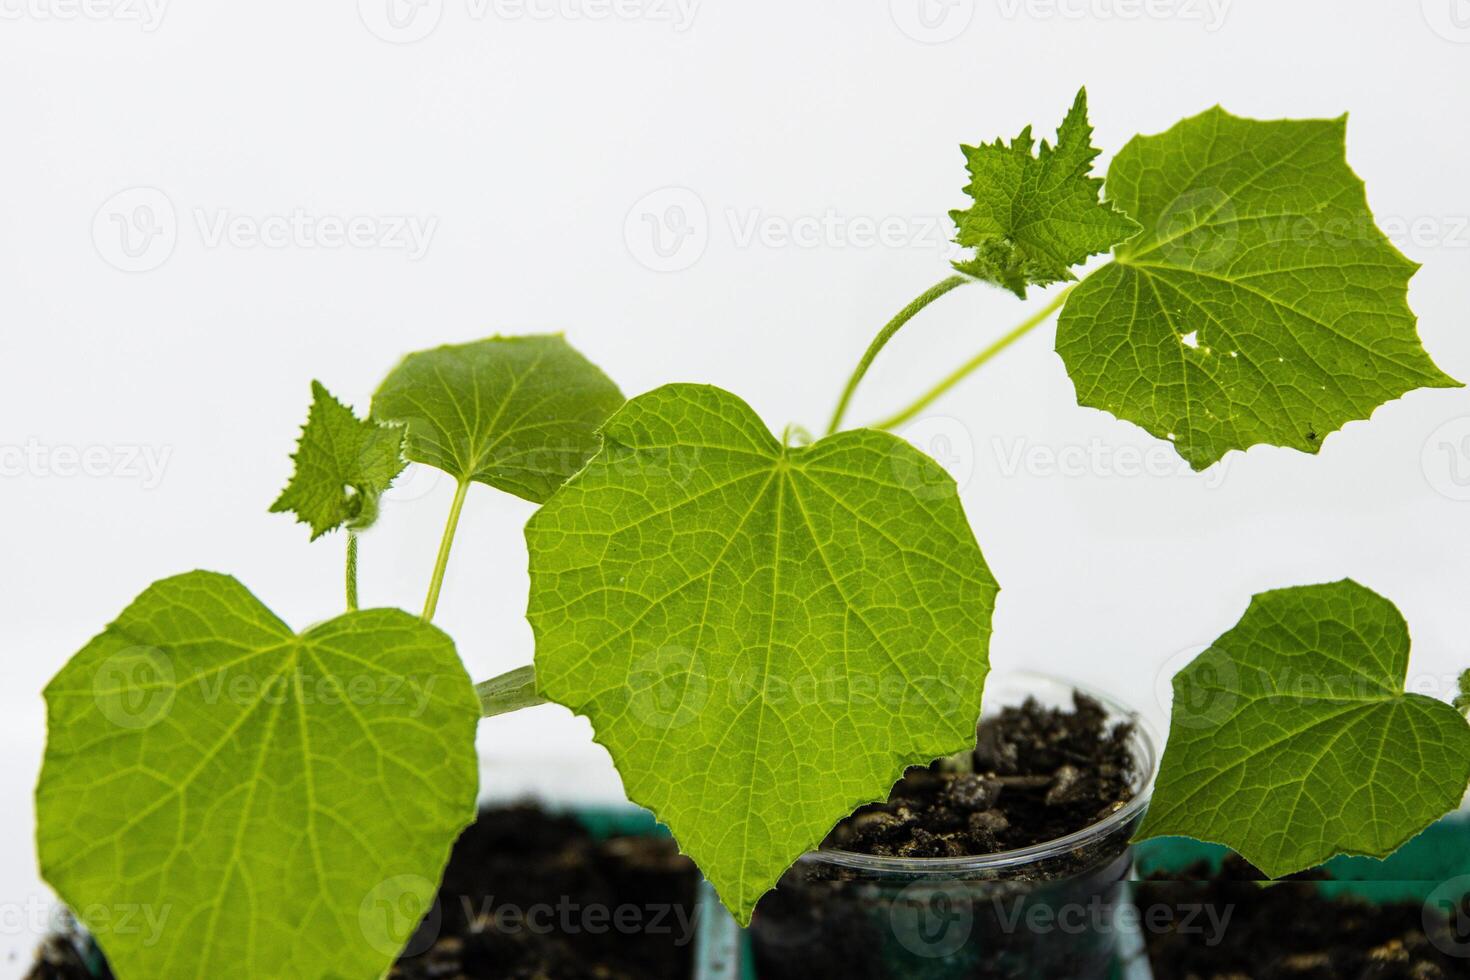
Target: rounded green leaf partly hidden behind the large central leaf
(520, 414)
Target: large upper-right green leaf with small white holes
(1259, 305)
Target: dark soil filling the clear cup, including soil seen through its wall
(1036, 775)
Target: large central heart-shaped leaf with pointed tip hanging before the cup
(762, 635)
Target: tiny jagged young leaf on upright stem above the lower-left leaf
(342, 468)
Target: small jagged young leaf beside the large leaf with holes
(1037, 217)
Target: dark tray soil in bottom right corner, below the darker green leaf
(1288, 931)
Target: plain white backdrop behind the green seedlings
(534, 148)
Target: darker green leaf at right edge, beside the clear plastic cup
(1293, 738)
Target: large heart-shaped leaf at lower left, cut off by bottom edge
(259, 803)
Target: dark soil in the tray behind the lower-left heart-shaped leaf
(534, 897)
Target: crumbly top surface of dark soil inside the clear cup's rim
(1036, 775)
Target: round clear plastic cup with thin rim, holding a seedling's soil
(1037, 913)
